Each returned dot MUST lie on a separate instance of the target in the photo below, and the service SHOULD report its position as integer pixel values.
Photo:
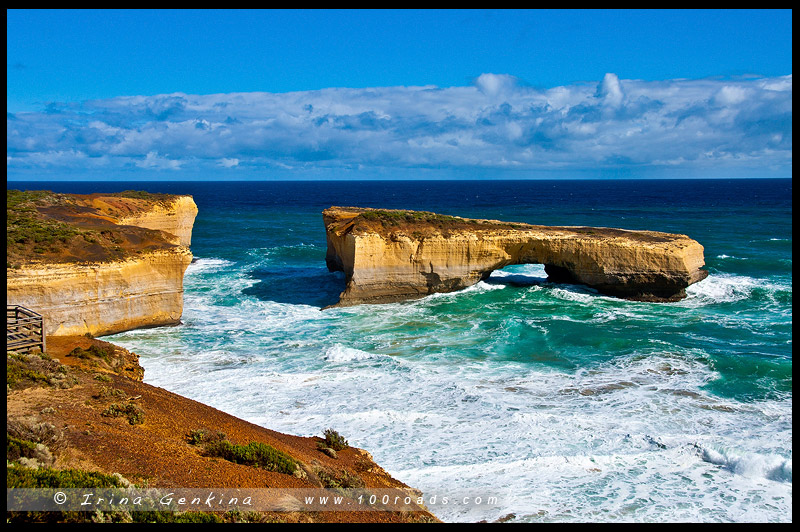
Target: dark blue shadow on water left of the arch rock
(316, 287)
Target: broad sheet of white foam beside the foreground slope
(552, 437)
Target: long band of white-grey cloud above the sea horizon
(494, 123)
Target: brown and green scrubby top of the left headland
(48, 227)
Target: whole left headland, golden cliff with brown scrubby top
(99, 274)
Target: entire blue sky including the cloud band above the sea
(398, 94)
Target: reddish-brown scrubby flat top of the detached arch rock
(388, 222)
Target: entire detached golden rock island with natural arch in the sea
(397, 255)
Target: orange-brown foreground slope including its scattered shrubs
(95, 417)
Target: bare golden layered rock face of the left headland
(144, 289)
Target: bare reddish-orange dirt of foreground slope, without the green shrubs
(157, 453)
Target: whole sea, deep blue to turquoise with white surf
(565, 404)
